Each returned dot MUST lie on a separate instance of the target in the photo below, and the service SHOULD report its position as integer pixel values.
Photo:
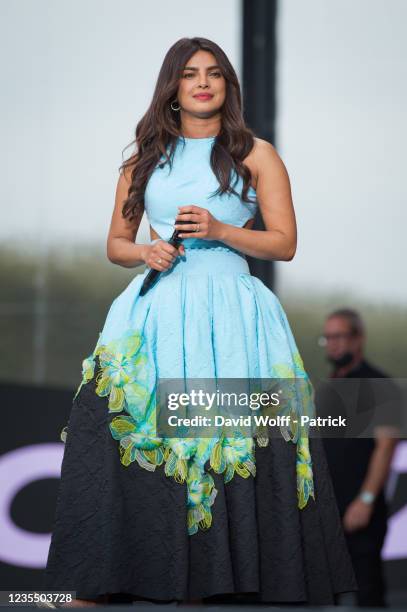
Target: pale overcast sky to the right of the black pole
(342, 132)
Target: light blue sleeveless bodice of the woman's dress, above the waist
(191, 180)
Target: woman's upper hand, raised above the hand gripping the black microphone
(209, 227)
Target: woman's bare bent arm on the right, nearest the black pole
(279, 241)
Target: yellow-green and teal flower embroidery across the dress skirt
(123, 378)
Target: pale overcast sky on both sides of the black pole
(79, 75)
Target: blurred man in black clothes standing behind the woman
(359, 466)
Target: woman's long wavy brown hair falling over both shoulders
(159, 129)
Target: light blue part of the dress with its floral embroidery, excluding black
(206, 317)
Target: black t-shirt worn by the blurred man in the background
(348, 456)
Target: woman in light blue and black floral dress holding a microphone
(192, 519)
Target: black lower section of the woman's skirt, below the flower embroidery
(122, 529)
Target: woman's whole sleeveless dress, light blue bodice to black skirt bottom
(206, 317)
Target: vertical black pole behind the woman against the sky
(258, 88)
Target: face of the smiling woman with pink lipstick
(202, 86)
